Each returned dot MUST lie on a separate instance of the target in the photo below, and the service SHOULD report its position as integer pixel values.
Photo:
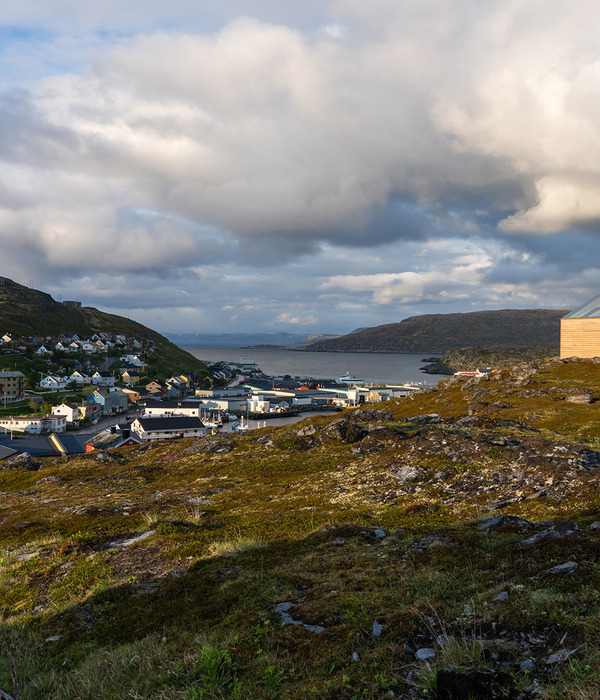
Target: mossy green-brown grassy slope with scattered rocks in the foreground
(189, 612)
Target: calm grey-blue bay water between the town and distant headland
(370, 367)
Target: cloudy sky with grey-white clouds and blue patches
(239, 166)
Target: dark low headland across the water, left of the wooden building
(438, 333)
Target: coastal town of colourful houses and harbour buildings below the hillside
(97, 394)
